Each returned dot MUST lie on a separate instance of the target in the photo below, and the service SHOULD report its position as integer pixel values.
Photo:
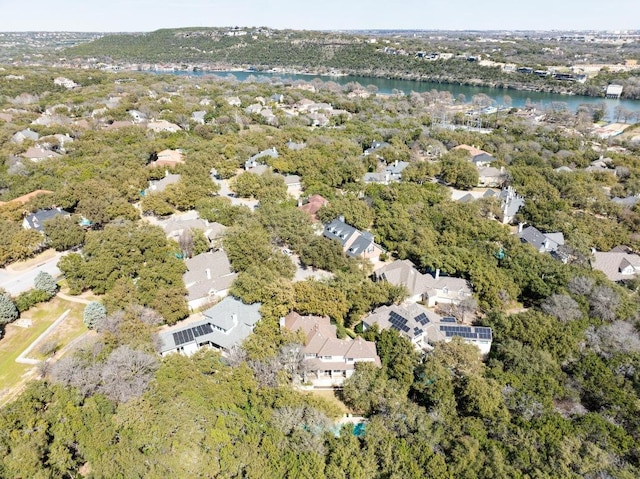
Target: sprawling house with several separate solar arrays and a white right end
(424, 327)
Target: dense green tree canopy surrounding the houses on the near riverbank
(557, 397)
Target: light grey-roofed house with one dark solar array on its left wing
(224, 326)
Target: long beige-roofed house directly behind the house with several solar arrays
(433, 289)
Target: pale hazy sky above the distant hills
(147, 15)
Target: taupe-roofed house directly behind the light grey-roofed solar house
(208, 277)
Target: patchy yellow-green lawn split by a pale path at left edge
(16, 339)
